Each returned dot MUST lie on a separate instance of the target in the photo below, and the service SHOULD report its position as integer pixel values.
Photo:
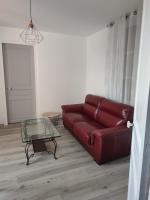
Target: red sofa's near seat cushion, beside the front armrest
(82, 130)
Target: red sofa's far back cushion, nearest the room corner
(91, 105)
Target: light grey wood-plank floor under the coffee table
(74, 176)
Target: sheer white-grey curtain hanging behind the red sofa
(121, 63)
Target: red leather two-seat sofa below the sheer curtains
(99, 125)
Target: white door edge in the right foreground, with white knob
(138, 177)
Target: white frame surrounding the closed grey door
(2, 77)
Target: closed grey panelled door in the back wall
(19, 81)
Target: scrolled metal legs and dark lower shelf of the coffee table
(39, 146)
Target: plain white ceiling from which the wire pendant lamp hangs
(77, 17)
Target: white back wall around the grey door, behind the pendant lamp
(60, 70)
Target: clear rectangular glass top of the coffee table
(41, 128)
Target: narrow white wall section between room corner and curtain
(96, 58)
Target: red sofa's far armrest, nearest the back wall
(72, 108)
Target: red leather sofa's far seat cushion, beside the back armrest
(70, 118)
